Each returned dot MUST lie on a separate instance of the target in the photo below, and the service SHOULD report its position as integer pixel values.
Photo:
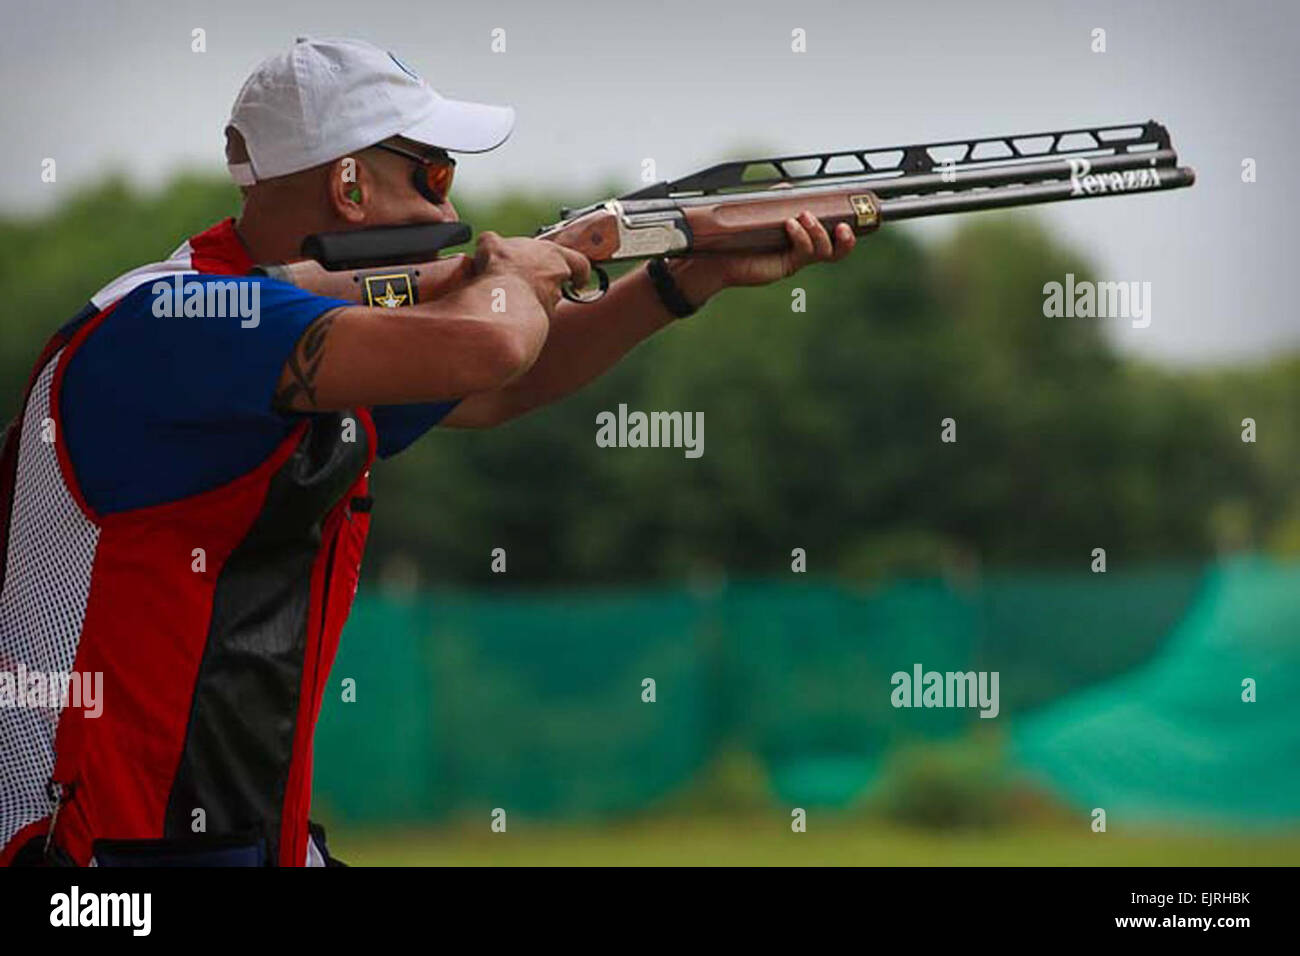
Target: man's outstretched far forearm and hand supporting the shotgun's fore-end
(587, 340)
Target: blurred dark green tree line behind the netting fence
(822, 429)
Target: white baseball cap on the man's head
(328, 98)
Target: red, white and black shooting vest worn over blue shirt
(214, 621)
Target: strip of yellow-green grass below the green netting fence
(760, 841)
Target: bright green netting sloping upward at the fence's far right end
(1176, 739)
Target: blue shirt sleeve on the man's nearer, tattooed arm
(159, 405)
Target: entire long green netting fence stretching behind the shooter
(535, 700)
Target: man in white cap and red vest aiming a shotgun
(184, 498)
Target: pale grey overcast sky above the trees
(600, 88)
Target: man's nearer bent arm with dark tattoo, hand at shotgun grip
(445, 349)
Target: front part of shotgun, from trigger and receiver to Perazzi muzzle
(743, 206)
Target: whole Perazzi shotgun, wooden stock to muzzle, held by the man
(743, 206)
